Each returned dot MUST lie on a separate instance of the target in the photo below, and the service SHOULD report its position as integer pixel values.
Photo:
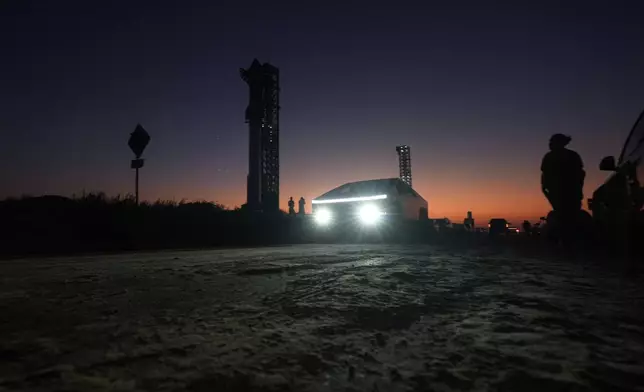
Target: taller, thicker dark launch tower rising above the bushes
(262, 117)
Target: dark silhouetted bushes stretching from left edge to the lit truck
(94, 222)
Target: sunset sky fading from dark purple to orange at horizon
(475, 90)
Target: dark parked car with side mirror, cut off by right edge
(618, 205)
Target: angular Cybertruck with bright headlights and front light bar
(368, 204)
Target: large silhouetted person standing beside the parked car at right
(562, 179)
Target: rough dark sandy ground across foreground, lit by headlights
(319, 318)
